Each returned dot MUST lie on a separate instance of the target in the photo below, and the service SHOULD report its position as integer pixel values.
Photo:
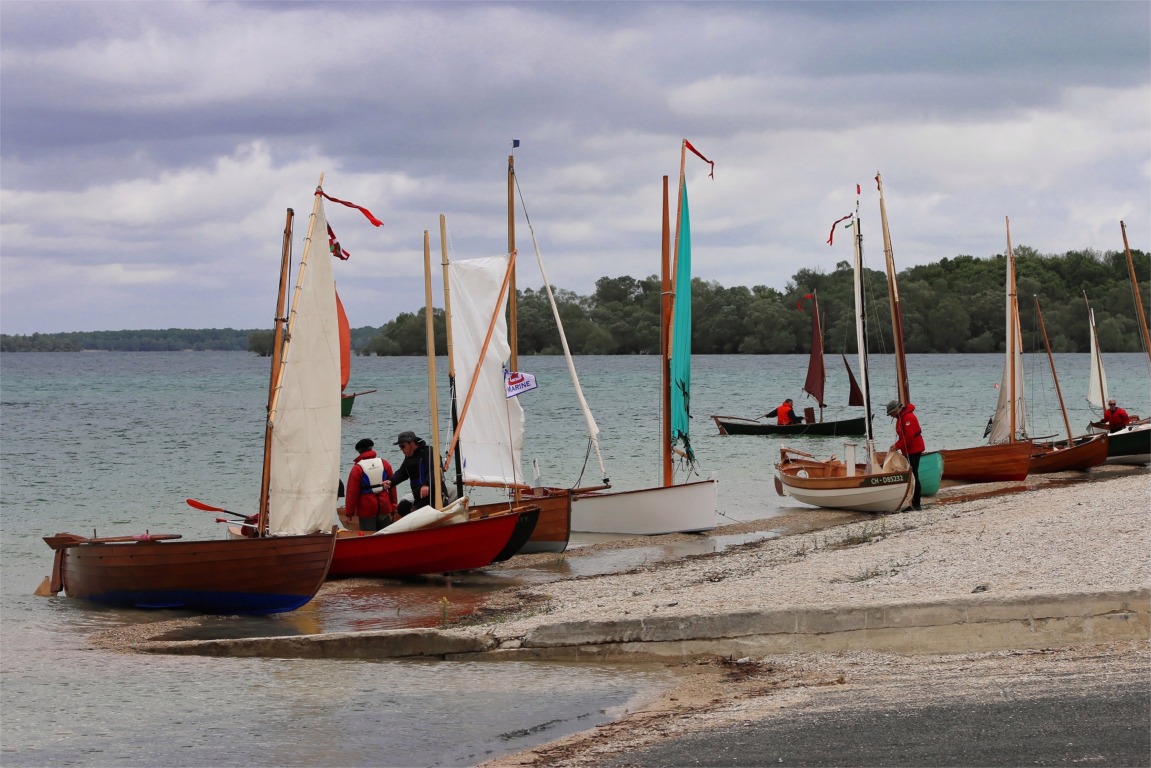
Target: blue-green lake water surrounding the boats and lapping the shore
(116, 443)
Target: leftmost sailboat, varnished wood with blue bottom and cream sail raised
(285, 564)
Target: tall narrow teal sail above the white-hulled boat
(682, 334)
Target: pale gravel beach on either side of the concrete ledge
(1054, 535)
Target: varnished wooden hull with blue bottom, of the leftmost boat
(223, 576)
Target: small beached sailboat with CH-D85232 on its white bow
(862, 486)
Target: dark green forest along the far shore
(955, 306)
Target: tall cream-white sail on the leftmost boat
(306, 419)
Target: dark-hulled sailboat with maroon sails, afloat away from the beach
(814, 386)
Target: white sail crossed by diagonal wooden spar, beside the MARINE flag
(492, 434)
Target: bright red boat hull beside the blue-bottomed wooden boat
(438, 550)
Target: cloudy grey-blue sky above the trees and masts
(149, 150)
